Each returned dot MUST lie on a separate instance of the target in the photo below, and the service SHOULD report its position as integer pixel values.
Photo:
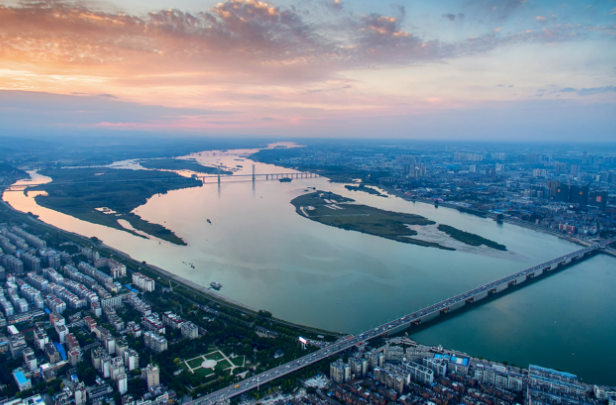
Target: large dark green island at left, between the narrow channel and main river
(79, 192)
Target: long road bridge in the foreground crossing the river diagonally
(397, 325)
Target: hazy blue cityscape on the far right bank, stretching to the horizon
(567, 191)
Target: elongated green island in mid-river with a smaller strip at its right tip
(334, 210)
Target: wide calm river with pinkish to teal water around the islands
(269, 257)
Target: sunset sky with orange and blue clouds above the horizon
(462, 70)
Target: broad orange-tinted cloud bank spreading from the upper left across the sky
(234, 41)
